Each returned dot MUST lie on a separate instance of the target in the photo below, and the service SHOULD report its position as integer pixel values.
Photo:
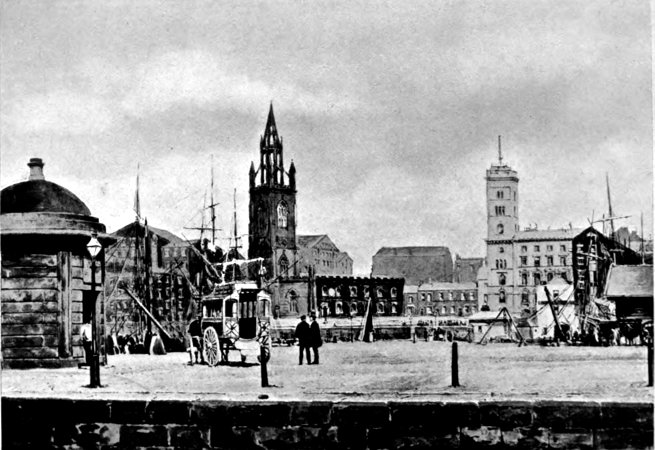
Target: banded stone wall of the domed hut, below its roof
(42, 304)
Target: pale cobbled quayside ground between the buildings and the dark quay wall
(390, 369)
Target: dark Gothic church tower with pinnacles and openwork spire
(272, 227)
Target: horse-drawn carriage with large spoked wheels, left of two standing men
(236, 317)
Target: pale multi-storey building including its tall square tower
(518, 261)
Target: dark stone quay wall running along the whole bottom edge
(30, 423)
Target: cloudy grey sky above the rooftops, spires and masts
(389, 110)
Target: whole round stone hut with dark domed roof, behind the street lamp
(46, 281)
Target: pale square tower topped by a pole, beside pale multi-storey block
(502, 225)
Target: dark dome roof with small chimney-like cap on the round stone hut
(40, 196)
